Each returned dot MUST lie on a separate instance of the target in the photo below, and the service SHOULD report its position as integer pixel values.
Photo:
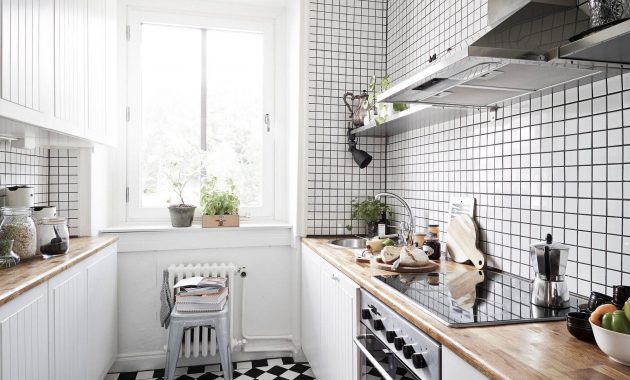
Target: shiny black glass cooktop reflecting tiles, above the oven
(476, 298)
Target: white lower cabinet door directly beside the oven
(339, 304)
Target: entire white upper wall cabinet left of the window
(59, 66)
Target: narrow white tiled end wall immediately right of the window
(346, 46)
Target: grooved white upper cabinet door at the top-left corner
(26, 56)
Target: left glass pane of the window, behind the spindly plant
(171, 109)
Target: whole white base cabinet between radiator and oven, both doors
(329, 322)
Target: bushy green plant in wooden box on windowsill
(220, 207)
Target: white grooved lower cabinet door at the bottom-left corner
(24, 337)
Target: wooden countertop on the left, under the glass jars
(28, 274)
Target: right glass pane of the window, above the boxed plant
(235, 111)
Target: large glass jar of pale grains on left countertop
(17, 225)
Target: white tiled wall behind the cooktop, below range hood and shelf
(555, 163)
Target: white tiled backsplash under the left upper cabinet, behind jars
(52, 172)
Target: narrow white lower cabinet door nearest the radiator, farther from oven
(311, 309)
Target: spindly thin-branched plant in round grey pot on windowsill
(179, 176)
